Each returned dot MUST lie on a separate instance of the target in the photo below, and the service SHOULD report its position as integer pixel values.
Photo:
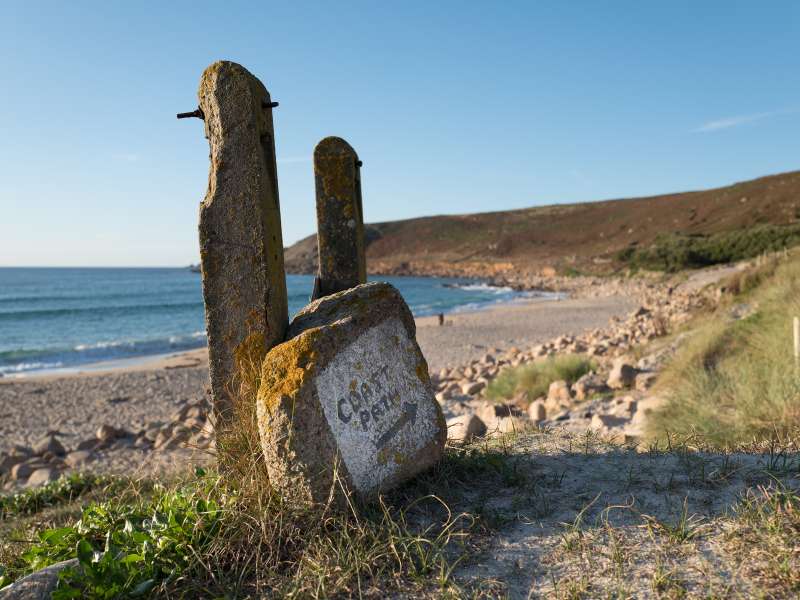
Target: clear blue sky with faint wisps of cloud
(454, 107)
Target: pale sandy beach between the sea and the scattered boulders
(146, 394)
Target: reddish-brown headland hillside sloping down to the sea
(586, 237)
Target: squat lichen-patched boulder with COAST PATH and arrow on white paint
(349, 392)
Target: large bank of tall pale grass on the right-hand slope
(735, 380)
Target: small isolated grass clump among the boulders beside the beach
(535, 378)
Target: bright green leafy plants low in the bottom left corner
(126, 549)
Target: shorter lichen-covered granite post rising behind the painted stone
(340, 218)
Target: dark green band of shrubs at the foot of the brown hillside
(674, 252)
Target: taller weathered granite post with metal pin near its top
(241, 246)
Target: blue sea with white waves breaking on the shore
(54, 319)
